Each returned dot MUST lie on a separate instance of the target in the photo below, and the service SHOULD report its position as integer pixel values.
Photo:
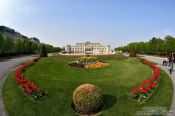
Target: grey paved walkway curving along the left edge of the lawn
(6, 67)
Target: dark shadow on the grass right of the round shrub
(109, 101)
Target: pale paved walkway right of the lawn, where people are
(159, 61)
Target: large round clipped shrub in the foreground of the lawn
(87, 98)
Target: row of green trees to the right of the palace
(155, 45)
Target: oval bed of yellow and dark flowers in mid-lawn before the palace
(88, 62)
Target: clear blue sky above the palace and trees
(113, 22)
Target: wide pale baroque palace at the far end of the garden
(88, 48)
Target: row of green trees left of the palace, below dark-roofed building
(19, 46)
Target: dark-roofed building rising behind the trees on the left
(8, 32)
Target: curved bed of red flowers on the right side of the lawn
(143, 91)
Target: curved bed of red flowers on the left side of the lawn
(28, 87)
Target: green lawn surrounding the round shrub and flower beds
(60, 81)
